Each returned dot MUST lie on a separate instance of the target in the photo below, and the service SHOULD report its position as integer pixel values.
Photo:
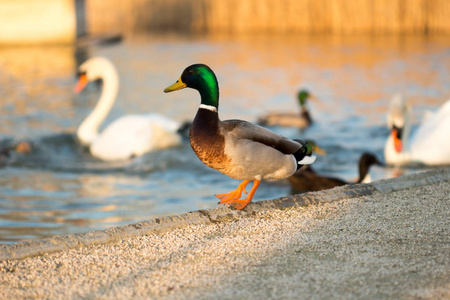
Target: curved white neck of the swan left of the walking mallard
(88, 130)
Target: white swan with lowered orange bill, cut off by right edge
(429, 145)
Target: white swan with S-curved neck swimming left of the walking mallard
(128, 136)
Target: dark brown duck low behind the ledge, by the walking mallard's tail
(307, 179)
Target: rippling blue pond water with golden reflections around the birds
(59, 188)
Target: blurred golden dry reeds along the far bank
(287, 16)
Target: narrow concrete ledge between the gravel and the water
(220, 214)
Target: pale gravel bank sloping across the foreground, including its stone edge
(388, 240)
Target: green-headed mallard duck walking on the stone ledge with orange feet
(237, 148)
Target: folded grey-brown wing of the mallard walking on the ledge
(249, 131)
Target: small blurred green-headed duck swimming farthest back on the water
(300, 120)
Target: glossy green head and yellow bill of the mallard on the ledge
(201, 78)
